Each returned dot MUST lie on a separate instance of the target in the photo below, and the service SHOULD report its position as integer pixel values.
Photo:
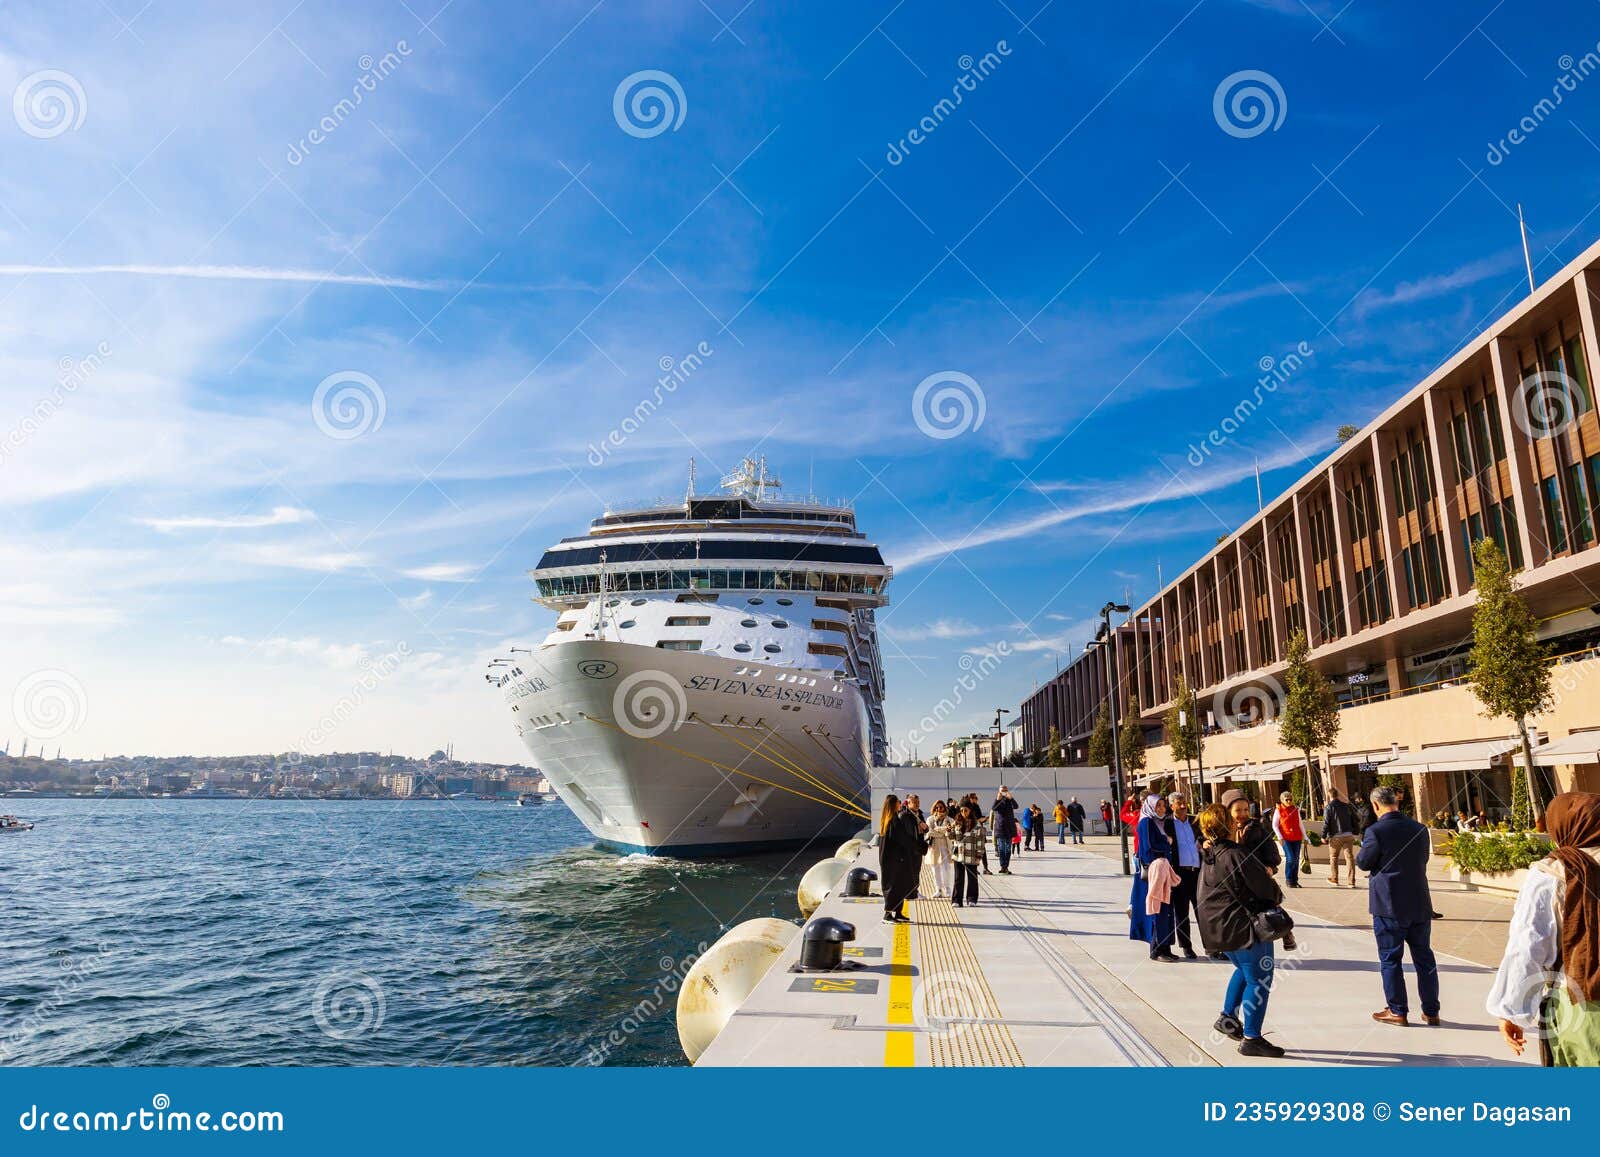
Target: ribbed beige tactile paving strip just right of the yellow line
(951, 987)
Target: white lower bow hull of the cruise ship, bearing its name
(692, 755)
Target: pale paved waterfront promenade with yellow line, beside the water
(1042, 974)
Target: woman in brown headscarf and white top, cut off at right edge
(1550, 980)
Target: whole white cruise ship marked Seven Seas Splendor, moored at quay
(713, 684)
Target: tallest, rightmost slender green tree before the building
(1510, 675)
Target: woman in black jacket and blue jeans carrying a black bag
(1234, 887)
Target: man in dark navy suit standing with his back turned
(1396, 851)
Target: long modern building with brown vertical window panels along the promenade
(1370, 553)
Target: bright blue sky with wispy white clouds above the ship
(191, 562)
